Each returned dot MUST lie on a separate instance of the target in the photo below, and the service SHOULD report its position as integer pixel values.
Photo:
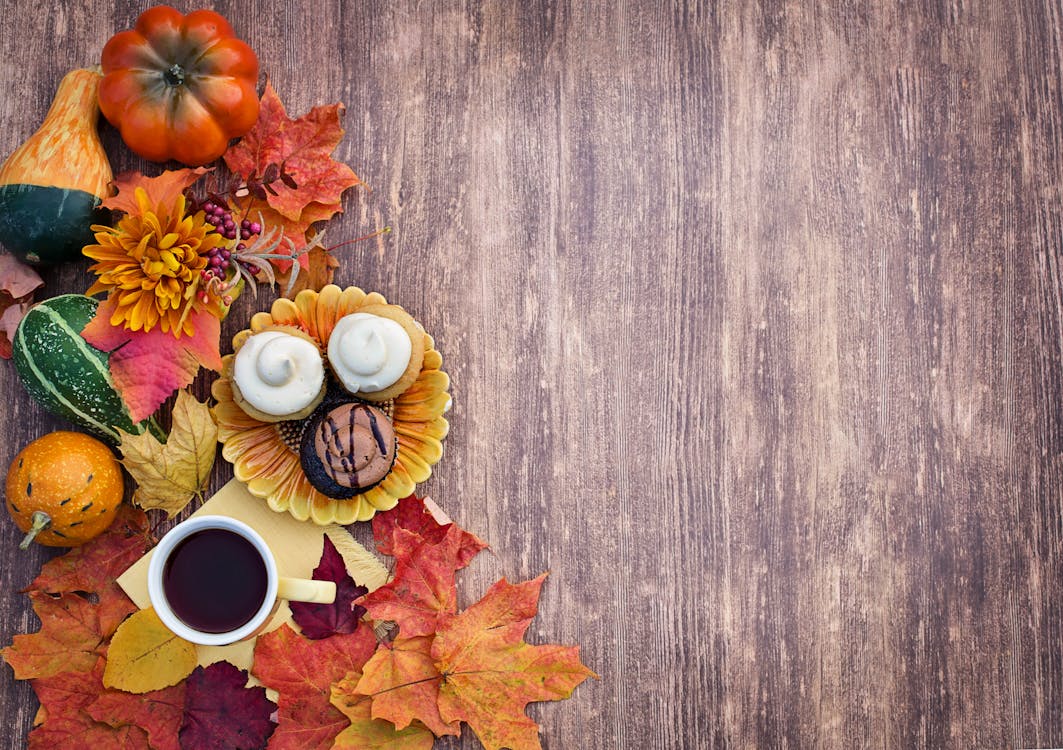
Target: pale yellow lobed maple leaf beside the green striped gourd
(168, 475)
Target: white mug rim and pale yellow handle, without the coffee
(277, 587)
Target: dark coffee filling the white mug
(215, 581)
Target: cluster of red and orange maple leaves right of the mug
(346, 690)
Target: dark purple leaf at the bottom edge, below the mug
(222, 713)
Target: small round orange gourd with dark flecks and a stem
(63, 490)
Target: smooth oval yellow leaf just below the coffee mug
(145, 656)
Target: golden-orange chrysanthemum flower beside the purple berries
(151, 264)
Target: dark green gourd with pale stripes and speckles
(65, 374)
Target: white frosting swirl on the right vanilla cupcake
(369, 353)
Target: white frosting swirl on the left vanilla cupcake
(279, 373)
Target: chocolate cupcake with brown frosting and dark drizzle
(348, 449)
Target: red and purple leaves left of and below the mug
(81, 608)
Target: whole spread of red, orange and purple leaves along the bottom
(338, 684)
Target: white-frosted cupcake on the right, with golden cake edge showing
(377, 353)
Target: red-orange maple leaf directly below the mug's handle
(302, 672)
